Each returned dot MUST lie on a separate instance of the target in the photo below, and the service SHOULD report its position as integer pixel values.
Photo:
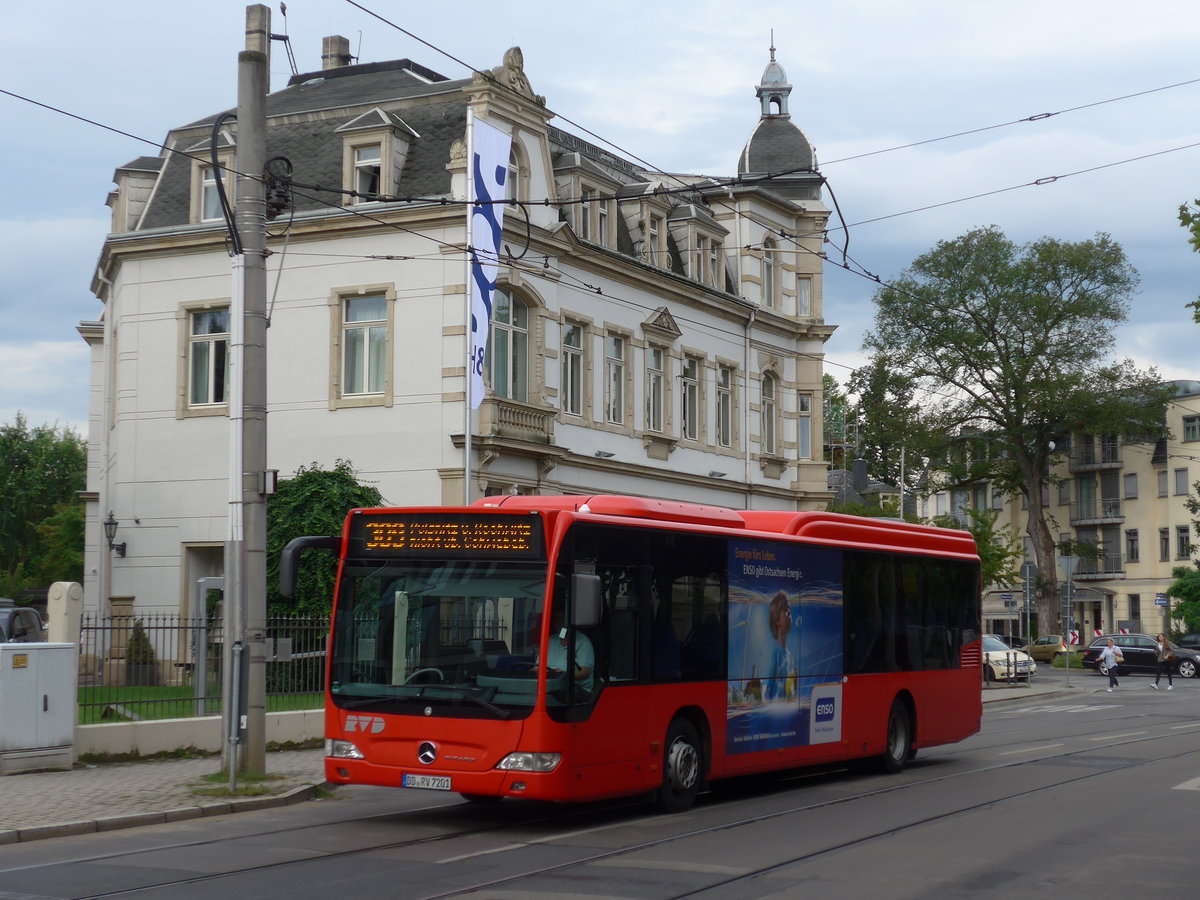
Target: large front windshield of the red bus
(459, 637)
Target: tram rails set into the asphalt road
(557, 821)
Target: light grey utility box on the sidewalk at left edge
(38, 707)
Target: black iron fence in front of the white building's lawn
(167, 667)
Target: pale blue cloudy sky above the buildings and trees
(674, 85)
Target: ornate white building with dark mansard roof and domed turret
(656, 334)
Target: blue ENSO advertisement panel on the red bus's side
(785, 646)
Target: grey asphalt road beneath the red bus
(1076, 795)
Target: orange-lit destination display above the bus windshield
(452, 536)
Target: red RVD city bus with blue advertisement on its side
(578, 649)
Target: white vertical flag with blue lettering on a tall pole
(489, 172)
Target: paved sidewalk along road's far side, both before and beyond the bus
(101, 799)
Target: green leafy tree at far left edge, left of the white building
(40, 470)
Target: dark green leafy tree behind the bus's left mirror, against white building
(315, 502)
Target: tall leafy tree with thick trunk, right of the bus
(1012, 343)
